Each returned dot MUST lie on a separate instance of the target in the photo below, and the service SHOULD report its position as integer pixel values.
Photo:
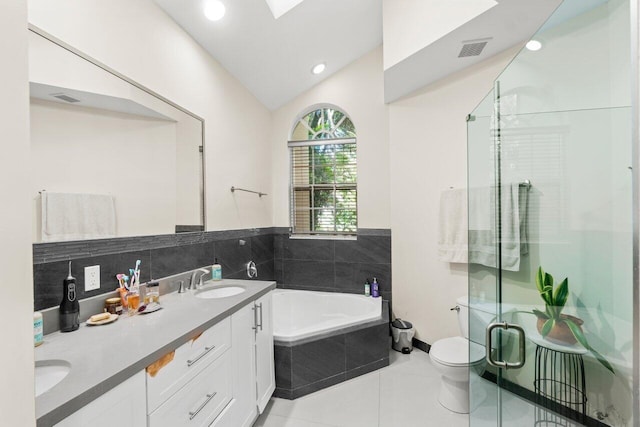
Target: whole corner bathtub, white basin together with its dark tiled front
(324, 338)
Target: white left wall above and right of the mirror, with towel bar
(137, 39)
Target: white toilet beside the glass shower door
(459, 358)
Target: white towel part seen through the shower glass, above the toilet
(482, 228)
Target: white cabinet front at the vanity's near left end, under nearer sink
(123, 405)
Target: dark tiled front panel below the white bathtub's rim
(314, 363)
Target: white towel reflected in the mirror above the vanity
(77, 216)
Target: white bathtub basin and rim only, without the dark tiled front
(301, 314)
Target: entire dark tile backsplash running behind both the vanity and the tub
(313, 264)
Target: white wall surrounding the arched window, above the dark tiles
(358, 90)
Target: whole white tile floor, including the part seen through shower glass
(404, 394)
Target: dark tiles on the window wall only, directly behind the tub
(334, 265)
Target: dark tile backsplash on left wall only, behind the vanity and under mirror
(161, 256)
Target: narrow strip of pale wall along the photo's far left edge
(16, 359)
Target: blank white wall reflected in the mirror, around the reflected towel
(86, 150)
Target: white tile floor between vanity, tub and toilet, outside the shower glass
(404, 394)
